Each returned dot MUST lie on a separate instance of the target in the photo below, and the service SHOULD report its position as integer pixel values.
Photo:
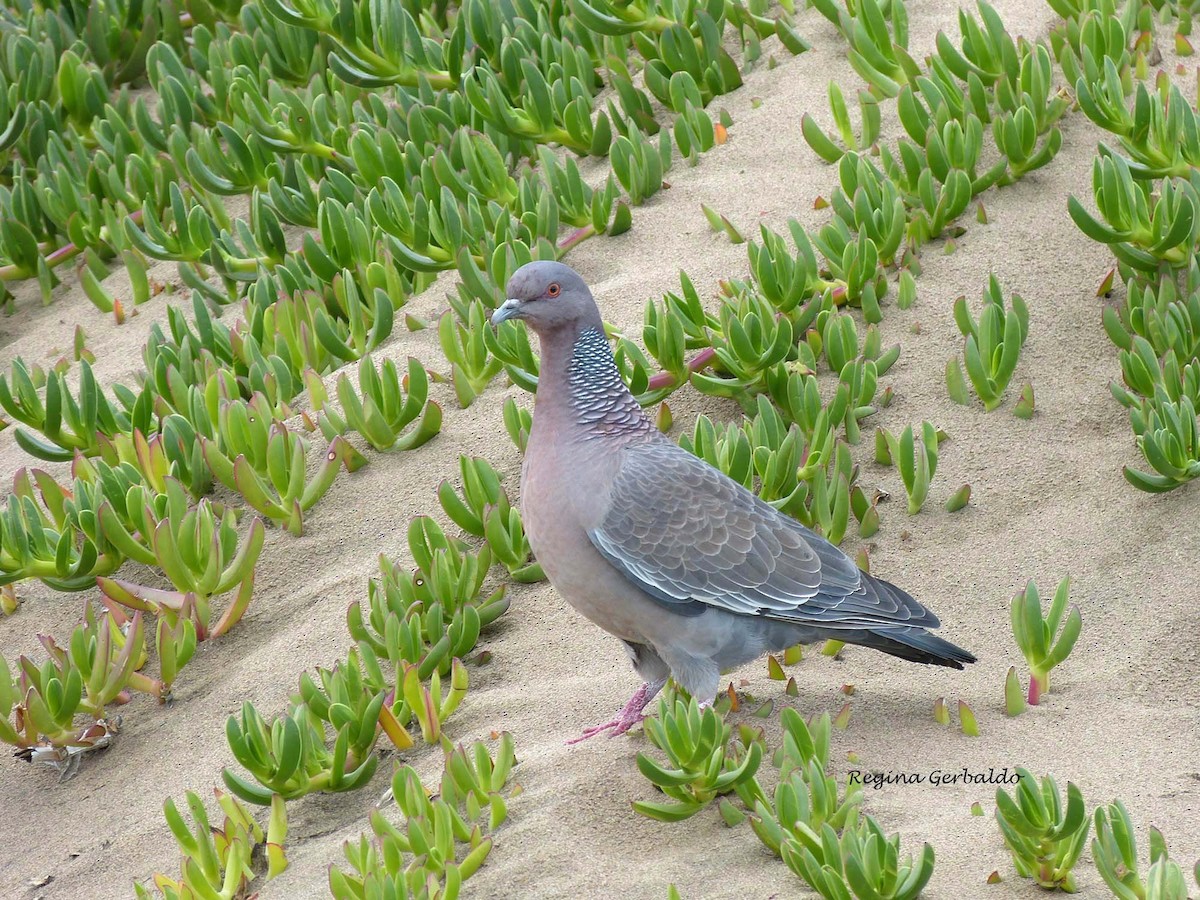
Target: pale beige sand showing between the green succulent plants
(1124, 719)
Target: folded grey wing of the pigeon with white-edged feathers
(691, 537)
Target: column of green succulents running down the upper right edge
(1145, 190)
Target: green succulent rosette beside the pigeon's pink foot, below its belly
(701, 765)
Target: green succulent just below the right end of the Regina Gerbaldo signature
(1043, 837)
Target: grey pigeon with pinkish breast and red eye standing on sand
(691, 571)
